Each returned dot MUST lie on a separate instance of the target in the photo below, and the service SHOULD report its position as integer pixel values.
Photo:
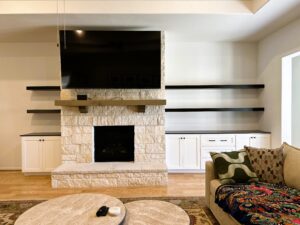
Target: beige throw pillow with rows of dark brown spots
(267, 164)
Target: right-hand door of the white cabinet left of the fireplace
(51, 153)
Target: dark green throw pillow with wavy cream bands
(233, 167)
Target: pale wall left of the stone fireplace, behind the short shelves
(23, 64)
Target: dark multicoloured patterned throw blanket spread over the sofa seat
(260, 203)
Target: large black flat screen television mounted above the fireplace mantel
(110, 59)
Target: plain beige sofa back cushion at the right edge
(292, 166)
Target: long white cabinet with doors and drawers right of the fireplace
(189, 152)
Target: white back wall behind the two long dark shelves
(211, 63)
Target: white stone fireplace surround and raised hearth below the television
(78, 144)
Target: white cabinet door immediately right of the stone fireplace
(173, 151)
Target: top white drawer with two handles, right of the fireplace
(217, 140)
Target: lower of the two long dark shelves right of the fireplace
(248, 109)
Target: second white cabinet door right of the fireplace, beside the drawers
(190, 152)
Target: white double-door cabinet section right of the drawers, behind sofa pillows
(253, 140)
